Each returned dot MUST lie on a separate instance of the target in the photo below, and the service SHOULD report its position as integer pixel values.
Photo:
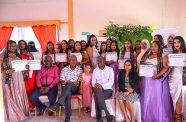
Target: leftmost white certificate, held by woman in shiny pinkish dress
(19, 65)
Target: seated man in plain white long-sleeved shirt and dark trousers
(102, 81)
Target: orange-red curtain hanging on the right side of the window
(45, 34)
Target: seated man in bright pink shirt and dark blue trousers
(46, 81)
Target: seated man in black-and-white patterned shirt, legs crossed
(70, 79)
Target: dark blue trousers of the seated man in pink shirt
(52, 94)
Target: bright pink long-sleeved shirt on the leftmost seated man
(47, 76)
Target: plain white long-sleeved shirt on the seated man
(104, 77)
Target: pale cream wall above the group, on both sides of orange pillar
(93, 15)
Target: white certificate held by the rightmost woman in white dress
(176, 59)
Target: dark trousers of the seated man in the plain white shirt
(100, 96)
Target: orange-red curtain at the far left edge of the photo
(5, 33)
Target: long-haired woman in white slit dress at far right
(176, 80)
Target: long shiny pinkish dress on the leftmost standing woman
(15, 97)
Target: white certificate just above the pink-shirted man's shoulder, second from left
(34, 64)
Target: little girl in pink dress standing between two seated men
(86, 88)
